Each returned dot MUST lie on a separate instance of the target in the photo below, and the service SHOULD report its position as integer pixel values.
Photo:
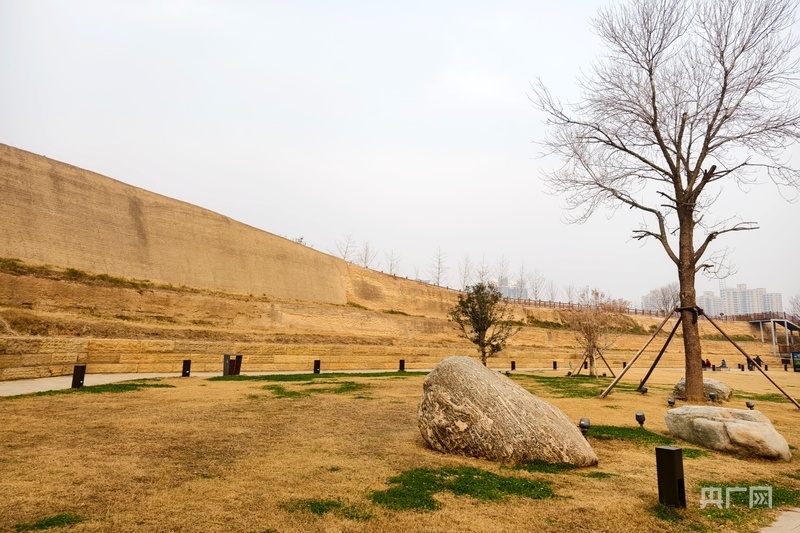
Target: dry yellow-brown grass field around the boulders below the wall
(192, 454)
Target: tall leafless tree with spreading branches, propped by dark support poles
(691, 96)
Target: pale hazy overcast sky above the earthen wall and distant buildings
(405, 124)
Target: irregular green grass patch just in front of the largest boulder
(414, 489)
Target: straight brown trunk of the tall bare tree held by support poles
(691, 329)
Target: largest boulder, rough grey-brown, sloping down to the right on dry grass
(467, 409)
